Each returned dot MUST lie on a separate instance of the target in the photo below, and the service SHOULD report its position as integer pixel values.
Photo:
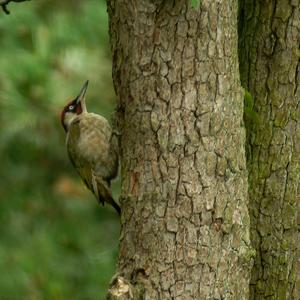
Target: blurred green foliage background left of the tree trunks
(56, 242)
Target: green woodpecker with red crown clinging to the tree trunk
(92, 147)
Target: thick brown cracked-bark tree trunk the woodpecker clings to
(185, 224)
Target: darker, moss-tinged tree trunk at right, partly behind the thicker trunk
(269, 65)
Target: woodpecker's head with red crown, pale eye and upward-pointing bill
(74, 108)
